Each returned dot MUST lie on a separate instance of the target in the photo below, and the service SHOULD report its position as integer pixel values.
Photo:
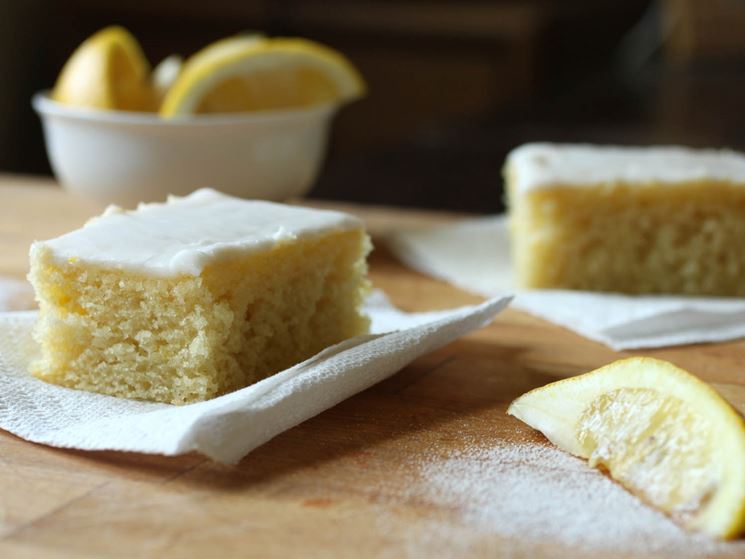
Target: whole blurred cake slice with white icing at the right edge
(628, 219)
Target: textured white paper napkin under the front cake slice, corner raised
(229, 427)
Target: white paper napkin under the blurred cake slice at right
(474, 255)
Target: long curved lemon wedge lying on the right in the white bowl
(255, 73)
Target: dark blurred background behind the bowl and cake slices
(454, 85)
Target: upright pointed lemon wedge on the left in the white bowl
(107, 71)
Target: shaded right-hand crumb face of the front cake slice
(292, 302)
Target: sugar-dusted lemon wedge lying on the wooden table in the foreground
(665, 435)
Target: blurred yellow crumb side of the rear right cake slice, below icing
(632, 238)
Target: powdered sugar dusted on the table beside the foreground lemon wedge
(531, 492)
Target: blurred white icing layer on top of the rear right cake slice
(542, 165)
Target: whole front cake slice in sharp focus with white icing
(186, 300)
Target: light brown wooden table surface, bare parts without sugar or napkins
(330, 487)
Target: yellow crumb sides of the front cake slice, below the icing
(186, 339)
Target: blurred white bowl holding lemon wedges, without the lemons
(125, 158)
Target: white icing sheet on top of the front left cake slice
(184, 235)
